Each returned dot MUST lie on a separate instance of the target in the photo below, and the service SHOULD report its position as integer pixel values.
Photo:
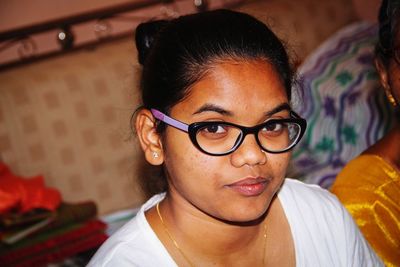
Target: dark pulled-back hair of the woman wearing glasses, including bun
(177, 53)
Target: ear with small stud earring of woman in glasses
(149, 139)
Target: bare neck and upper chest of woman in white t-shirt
(225, 242)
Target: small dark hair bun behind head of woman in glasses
(145, 35)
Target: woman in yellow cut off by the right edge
(369, 186)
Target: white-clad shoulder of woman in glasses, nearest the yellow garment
(323, 231)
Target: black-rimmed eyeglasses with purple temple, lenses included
(218, 138)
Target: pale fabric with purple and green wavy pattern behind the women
(343, 103)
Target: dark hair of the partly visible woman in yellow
(388, 22)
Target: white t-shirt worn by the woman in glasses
(324, 234)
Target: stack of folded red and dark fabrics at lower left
(37, 228)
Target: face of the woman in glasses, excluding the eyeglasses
(240, 186)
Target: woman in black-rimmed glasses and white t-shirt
(216, 117)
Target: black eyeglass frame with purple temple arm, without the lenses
(193, 128)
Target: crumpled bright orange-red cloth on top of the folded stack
(23, 195)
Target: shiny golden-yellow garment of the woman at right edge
(369, 188)
